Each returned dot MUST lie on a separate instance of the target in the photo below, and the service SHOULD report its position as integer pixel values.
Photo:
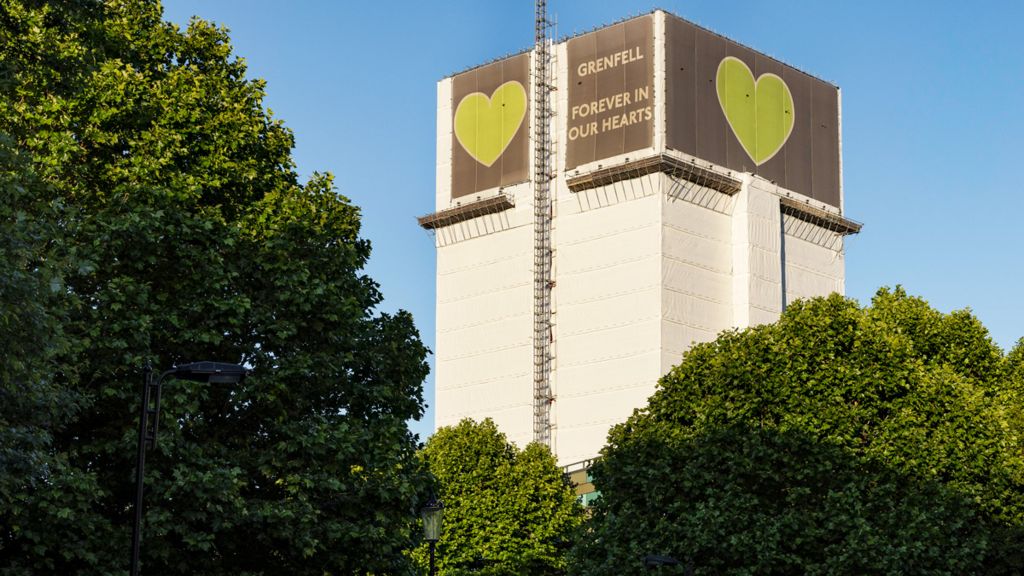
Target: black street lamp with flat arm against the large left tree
(214, 373)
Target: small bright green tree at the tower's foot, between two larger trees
(507, 512)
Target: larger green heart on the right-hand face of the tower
(760, 113)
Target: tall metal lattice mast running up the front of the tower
(542, 227)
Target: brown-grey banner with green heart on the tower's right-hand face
(712, 112)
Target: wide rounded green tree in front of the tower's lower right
(842, 440)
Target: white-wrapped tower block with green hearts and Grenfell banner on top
(696, 187)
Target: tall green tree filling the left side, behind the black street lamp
(158, 218)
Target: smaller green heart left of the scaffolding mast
(485, 127)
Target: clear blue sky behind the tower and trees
(933, 120)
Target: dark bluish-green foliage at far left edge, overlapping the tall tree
(33, 401)
